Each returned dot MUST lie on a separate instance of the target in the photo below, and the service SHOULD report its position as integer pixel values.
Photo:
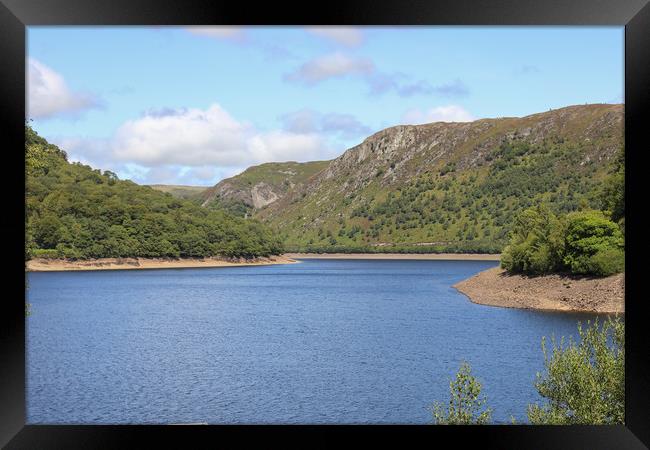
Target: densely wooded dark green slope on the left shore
(74, 211)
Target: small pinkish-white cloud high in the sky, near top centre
(331, 66)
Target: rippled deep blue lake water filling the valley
(322, 341)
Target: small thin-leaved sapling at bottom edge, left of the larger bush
(465, 403)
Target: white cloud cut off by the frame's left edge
(48, 94)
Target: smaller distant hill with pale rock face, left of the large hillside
(259, 186)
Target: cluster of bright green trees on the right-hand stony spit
(587, 242)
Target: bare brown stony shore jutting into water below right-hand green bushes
(550, 292)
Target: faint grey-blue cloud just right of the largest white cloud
(345, 126)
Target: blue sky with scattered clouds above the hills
(194, 105)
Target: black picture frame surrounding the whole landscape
(15, 15)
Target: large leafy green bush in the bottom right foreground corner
(584, 382)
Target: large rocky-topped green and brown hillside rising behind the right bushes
(450, 186)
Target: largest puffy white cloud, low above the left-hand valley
(186, 143)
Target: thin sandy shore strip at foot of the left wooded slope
(48, 265)
